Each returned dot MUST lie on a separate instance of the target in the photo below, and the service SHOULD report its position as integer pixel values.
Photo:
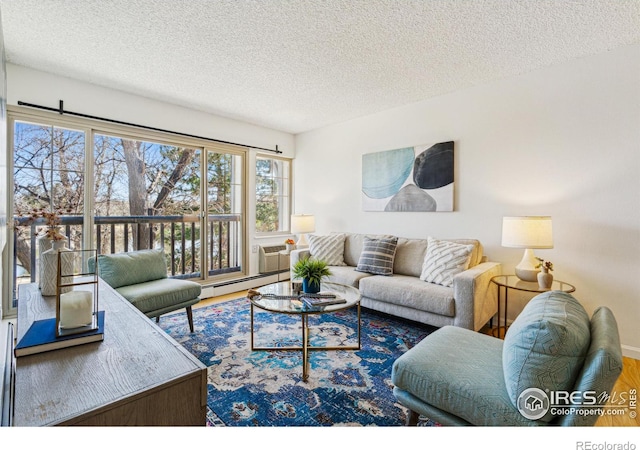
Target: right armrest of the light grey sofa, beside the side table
(476, 301)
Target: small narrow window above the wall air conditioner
(273, 199)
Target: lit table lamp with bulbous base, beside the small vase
(528, 232)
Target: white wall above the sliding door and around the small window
(40, 88)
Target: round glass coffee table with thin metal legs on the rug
(282, 299)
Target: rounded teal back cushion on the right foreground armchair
(546, 345)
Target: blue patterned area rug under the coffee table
(265, 388)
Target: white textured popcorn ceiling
(296, 65)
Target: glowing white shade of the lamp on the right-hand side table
(527, 232)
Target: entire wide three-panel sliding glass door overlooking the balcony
(118, 189)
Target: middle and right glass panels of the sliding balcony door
(149, 195)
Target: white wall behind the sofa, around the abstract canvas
(563, 141)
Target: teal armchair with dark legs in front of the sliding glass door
(141, 278)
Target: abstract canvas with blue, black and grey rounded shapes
(418, 179)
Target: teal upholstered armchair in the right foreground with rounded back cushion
(458, 377)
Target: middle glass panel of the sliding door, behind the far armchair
(147, 195)
